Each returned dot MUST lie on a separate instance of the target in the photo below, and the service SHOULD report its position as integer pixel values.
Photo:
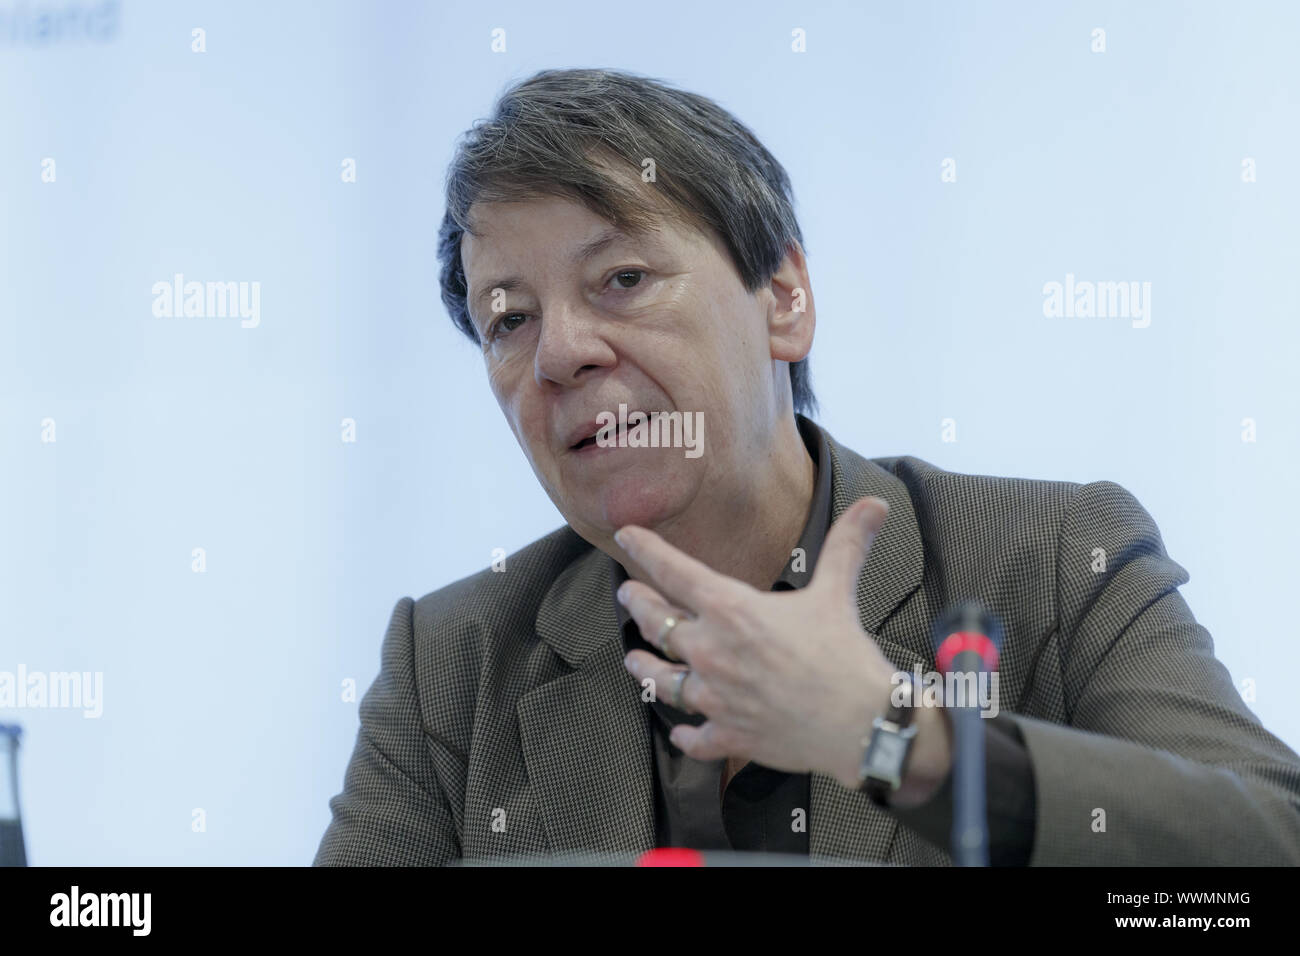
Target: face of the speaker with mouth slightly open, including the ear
(577, 318)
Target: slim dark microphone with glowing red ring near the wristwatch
(967, 641)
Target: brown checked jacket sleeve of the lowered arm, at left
(393, 811)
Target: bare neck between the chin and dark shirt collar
(749, 535)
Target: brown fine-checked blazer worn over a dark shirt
(504, 724)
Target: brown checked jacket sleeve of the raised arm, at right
(1162, 763)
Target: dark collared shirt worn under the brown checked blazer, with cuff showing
(761, 807)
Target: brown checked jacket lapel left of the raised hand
(587, 734)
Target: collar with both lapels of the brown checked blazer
(587, 734)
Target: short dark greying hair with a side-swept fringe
(547, 133)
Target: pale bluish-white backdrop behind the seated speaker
(127, 158)
